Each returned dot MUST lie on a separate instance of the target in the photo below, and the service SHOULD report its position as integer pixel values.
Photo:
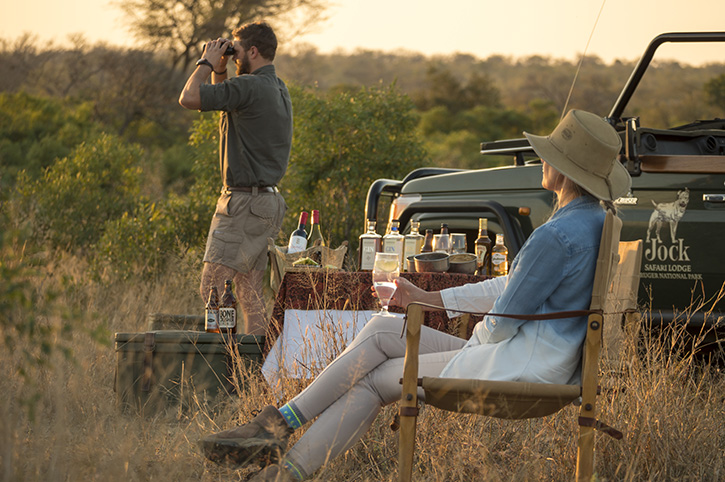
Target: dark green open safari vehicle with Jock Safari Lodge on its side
(676, 205)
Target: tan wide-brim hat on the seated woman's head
(585, 148)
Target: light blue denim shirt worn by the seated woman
(554, 271)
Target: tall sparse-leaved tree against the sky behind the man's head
(181, 26)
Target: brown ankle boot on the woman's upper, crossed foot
(260, 441)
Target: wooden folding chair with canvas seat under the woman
(520, 400)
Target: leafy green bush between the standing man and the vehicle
(343, 142)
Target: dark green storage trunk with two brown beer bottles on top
(161, 369)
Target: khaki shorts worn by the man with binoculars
(240, 227)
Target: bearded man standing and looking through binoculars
(255, 138)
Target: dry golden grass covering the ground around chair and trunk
(670, 407)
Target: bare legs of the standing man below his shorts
(249, 293)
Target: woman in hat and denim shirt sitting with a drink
(554, 271)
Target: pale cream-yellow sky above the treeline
(515, 28)
